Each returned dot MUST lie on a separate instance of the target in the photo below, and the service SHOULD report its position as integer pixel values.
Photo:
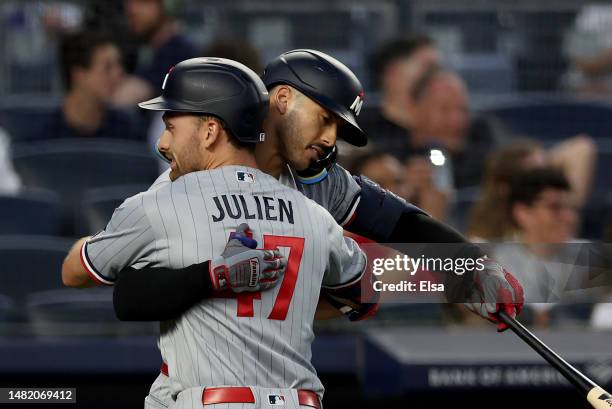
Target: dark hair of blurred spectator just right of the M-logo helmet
(395, 50)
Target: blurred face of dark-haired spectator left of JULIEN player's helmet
(82, 112)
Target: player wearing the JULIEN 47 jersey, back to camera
(235, 347)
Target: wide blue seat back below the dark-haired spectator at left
(72, 166)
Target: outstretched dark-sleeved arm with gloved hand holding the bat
(386, 218)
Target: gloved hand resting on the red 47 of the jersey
(242, 267)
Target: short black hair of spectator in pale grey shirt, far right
(527, 185)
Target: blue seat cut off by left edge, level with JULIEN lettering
(31, 211)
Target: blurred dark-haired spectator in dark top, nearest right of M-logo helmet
(397, 66)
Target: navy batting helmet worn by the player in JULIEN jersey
(218, 87)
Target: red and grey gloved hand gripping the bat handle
(495, 290)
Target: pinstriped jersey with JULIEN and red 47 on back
(258, 339)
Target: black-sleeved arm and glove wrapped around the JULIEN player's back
(137, 291)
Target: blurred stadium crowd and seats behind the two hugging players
(493, 116)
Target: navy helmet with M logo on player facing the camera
(326, 81)
